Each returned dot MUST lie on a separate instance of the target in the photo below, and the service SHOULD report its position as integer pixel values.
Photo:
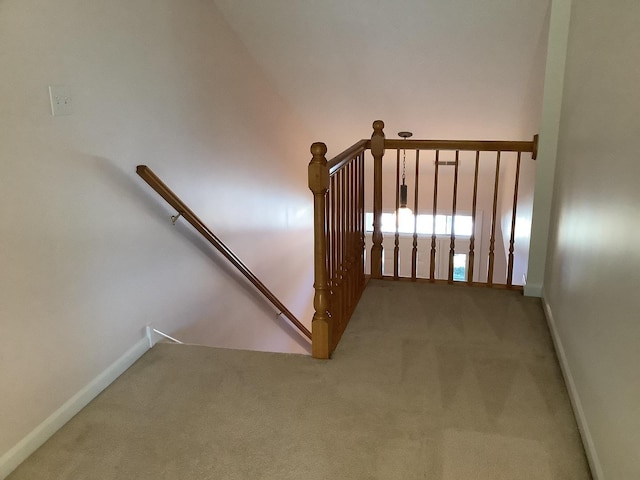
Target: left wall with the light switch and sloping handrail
(88, 253)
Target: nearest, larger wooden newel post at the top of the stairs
(319, 185)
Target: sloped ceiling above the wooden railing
(441, 68)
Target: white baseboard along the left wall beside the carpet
(29, 444)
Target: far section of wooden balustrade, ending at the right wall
(477, 154)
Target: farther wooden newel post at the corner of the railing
(377, 150)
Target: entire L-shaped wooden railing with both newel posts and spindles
(339, 219)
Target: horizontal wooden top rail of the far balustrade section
(470, 145)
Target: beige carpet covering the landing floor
(429, 382)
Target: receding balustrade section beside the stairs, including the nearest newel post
(338, 190)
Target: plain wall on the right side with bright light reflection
(593, 268)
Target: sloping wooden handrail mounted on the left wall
(172, 199)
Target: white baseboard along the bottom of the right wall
(587, 439)
